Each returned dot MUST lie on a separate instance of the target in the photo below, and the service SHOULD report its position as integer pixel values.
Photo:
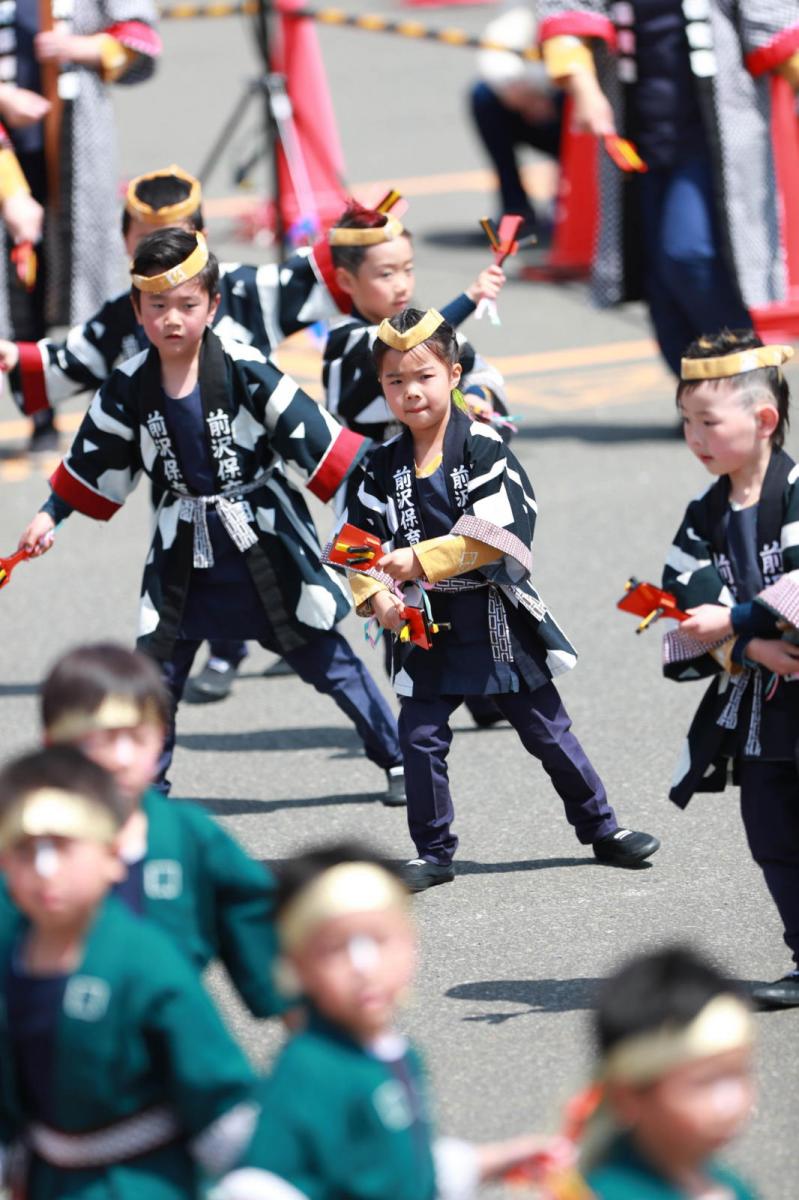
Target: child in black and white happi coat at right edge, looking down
(738, 537)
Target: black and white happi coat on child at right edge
(735, 718)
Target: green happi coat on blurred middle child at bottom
(338, 1123)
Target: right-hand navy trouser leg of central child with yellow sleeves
(545, 728)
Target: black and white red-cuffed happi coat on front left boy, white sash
(257, 422)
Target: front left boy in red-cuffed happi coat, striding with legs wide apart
(235, 549)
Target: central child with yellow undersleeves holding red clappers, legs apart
(454, 509)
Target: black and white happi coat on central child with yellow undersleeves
(490, 499)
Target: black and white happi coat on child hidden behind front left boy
(259, 307)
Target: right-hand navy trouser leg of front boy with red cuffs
(331, 665)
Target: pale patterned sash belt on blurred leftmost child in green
(127, 1139)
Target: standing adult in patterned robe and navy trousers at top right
(696, 85)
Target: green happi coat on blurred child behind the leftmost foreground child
(212, 898)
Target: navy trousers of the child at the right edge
(770, 806)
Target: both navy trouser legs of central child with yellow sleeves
(545, 729)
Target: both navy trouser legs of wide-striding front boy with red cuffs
(331, 665)
